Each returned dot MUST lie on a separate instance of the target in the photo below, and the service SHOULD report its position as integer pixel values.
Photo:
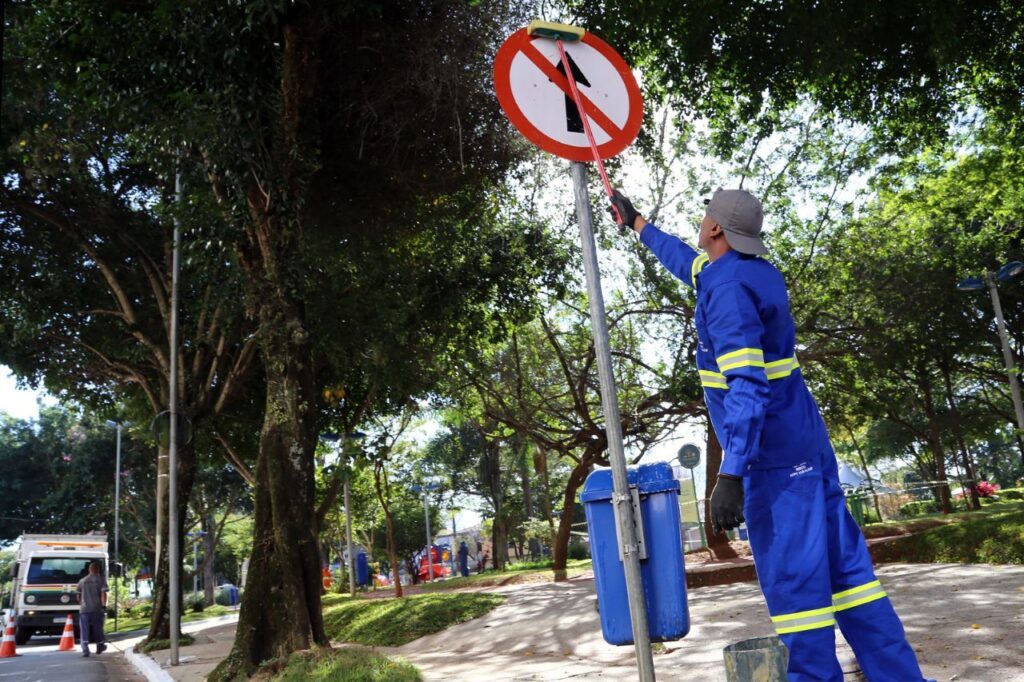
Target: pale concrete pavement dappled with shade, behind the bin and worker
(966, 623)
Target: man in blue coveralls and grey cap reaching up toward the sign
(779, 471)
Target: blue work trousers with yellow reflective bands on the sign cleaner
(816, 573)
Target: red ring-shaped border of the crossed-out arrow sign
(621, 139)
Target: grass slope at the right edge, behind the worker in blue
(993, 535)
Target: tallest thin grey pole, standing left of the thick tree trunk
(174, 555)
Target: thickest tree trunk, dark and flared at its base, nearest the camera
(281, 608)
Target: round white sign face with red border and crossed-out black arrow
(534, 93)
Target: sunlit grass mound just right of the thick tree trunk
(396, 622)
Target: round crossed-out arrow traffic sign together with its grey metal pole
(539, 72)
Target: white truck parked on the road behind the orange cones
(47, 574)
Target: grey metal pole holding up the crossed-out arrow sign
(613, 423)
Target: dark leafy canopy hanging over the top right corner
(904, 69)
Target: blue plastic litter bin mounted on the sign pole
(663, 571)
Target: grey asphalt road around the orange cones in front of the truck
(39, 661)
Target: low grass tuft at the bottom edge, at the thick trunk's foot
(345, 666)
